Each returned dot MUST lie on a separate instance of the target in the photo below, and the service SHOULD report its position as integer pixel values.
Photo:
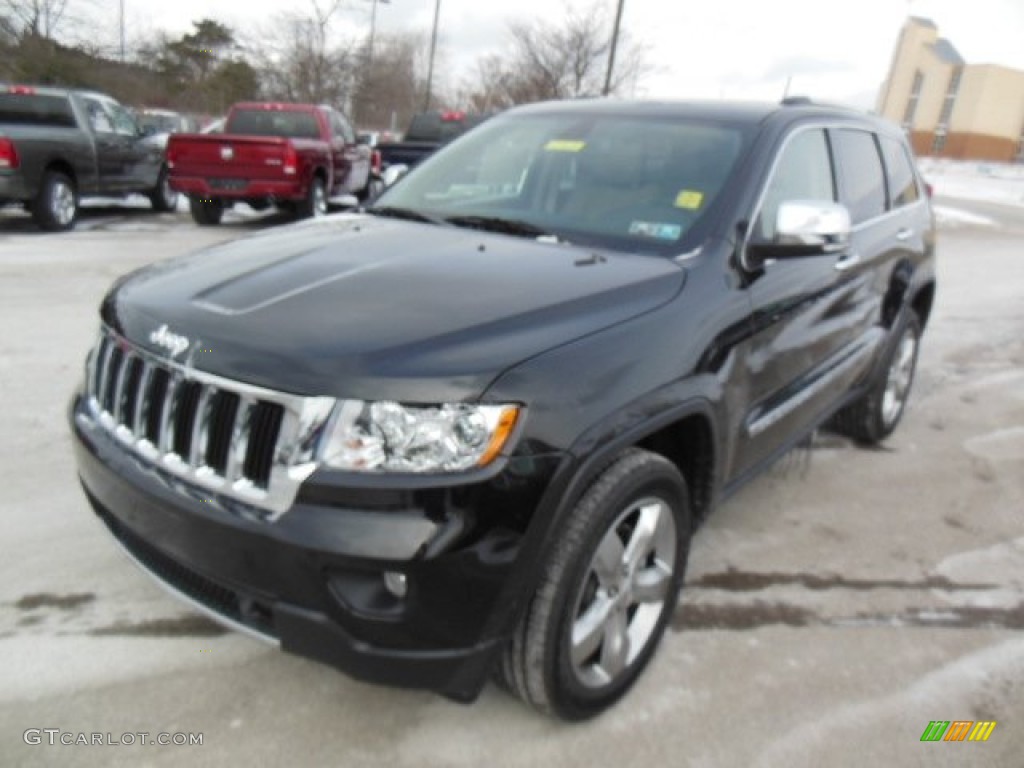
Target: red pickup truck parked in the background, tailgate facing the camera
(295, 156)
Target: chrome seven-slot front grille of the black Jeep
(246, 443)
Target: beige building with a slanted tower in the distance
(951, 108)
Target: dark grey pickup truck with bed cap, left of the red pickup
(59, 146)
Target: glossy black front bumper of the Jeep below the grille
(313, 581)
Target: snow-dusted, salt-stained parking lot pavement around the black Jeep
(833, 609)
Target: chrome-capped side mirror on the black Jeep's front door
(805, 228)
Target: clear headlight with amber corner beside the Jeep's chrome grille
(392, 438)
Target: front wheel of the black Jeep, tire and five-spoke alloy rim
(607, 592)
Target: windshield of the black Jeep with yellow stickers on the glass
(625, 183)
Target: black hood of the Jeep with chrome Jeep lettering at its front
(360, 307)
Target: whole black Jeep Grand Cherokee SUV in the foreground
(471, 431)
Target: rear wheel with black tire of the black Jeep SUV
(874, 417)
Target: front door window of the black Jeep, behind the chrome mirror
(803, 173)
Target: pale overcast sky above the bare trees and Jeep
(835, 51)
